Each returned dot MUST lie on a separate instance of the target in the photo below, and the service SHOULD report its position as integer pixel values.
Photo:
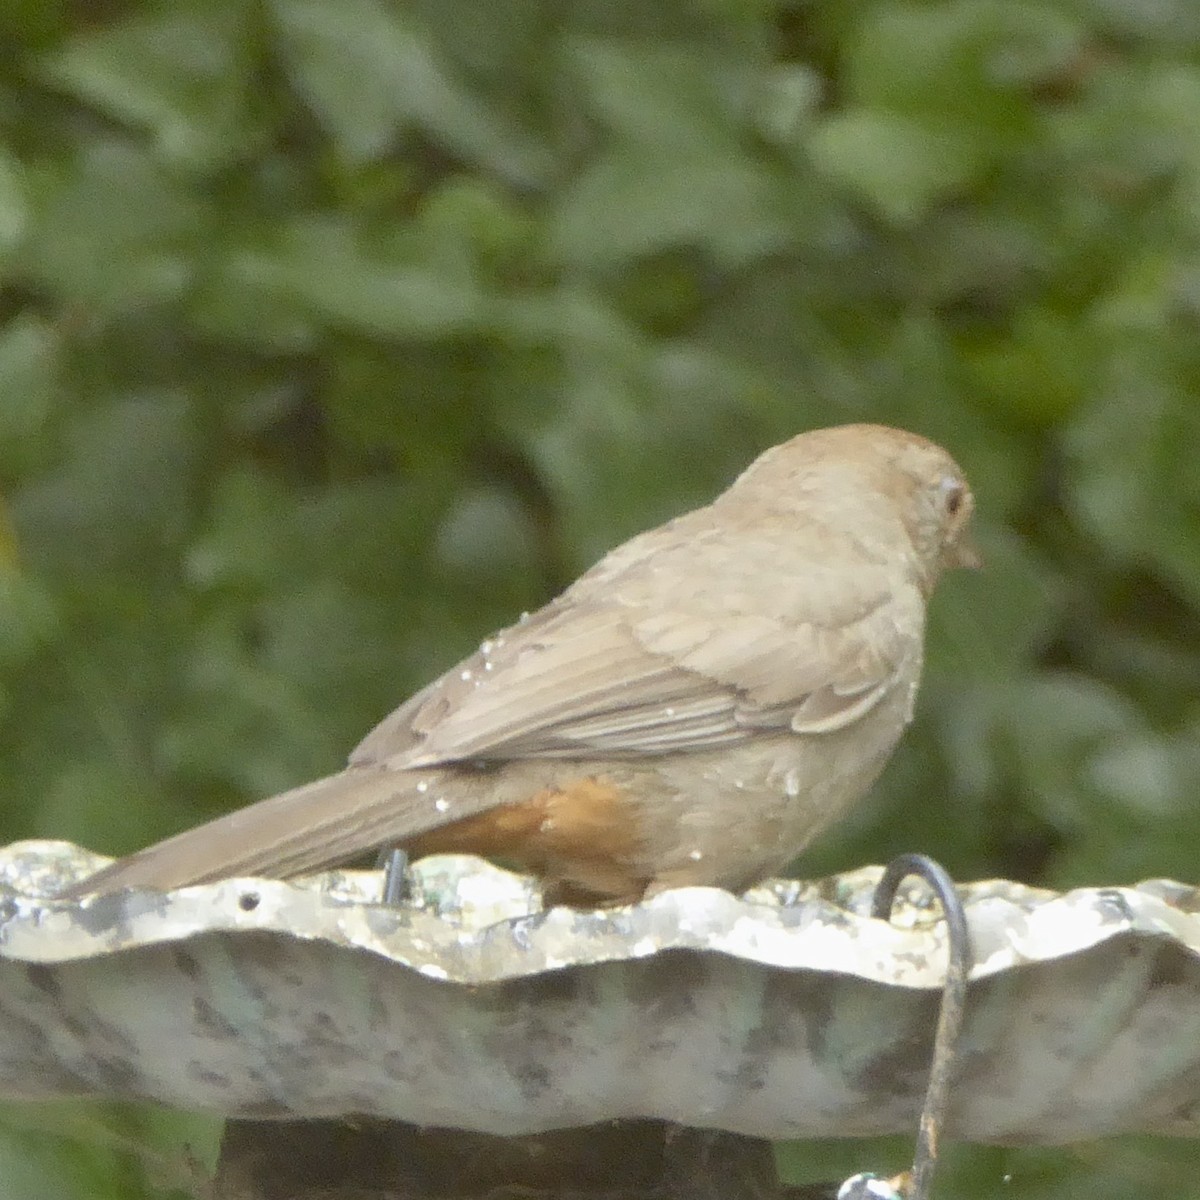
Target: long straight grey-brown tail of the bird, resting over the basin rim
(315, 826)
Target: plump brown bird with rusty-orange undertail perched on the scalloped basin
(692, 711)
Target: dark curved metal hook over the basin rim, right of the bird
(950, 1018)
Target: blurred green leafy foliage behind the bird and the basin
(335, 333)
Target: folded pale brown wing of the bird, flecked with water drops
(633, 676)
